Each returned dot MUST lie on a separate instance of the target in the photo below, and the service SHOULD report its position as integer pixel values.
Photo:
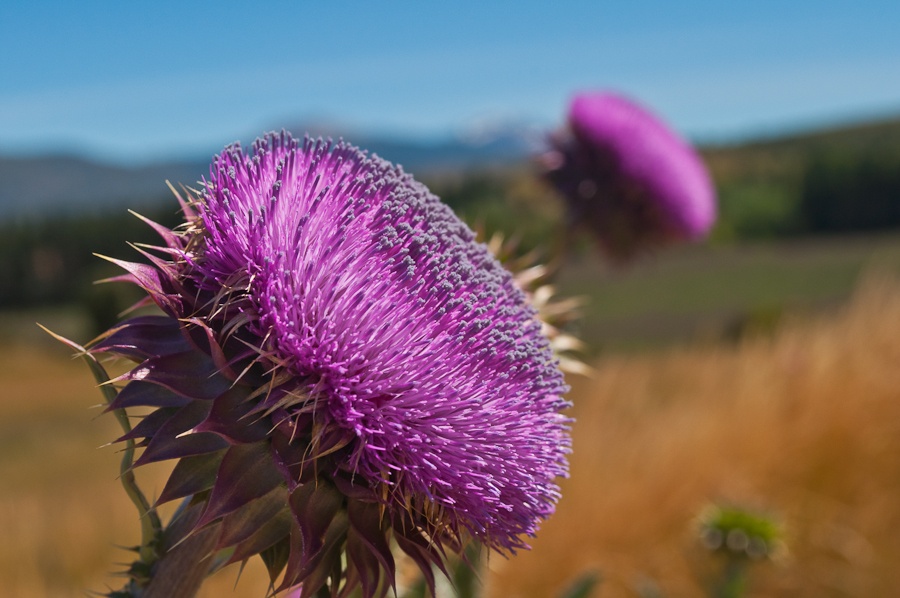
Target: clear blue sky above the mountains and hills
(132, 81)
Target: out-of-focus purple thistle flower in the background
(627, 177)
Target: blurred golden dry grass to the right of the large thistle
(805, 424)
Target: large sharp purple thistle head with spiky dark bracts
(339, 365)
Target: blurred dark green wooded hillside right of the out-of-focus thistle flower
(841, 181)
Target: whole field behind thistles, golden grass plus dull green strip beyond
(796, 413)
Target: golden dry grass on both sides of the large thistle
(803, 423)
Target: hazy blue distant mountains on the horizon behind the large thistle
(35, 186)
